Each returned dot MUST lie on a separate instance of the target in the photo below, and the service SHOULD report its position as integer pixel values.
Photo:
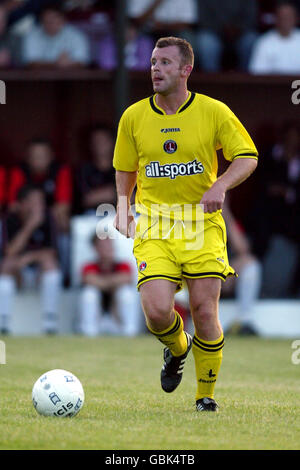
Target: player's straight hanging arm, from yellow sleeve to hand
(125, 163)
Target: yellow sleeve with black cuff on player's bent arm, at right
(232, 136)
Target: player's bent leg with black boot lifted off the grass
(157, 298)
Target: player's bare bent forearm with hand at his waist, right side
(237, 172)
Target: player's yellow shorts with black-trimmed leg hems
(187, 256)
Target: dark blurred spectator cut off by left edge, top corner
(9, 44)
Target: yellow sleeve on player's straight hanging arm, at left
(125, 153)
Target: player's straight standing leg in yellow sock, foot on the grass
(208, 340)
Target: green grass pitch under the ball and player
(257, 389)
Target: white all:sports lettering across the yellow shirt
(172, 170)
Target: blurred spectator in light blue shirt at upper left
(53, 43)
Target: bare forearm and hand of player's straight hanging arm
(124, 220)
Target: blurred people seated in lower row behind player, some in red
(40, 195)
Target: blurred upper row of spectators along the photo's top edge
(256, 36)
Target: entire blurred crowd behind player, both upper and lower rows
(40, 194)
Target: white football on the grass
(58, 393)
